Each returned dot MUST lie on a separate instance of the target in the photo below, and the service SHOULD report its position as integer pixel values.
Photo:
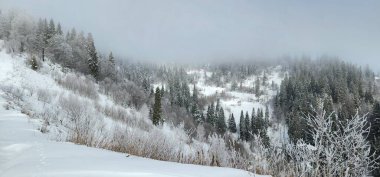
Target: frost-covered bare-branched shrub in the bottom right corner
(341, 152)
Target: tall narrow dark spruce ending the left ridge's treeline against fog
(93, 61)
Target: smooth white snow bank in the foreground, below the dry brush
(24, 151)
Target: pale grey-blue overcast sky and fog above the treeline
(191, 30)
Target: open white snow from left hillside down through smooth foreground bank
(25, 151)
